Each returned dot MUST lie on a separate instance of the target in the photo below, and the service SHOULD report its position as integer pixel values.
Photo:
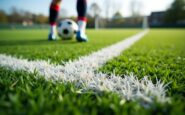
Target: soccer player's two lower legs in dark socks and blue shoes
(82, 20)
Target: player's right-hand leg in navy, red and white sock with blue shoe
(82, 20)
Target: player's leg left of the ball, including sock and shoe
(53, 14)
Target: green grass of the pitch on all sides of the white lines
(161, 54)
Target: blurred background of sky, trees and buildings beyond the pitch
(101, 13)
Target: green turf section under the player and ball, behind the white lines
(33, 44)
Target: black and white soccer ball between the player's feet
(67, 29)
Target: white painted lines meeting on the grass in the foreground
(82, 72)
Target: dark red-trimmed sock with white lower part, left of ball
(53, 14)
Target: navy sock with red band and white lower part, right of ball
(82, 11)
